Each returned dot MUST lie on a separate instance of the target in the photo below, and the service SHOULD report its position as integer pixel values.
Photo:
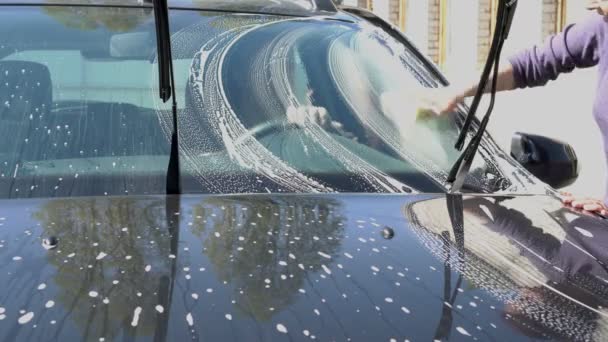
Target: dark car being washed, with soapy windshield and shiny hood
(313, 199)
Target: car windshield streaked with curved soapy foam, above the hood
(266, 104)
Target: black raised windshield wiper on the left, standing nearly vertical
(167, 88)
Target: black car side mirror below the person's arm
(552, 161)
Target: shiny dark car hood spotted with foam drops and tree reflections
(296, 267)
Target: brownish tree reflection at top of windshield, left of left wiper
(114, 19)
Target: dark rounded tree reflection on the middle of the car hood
(291, 229)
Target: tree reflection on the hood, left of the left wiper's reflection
(88, 227)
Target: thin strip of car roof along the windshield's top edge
(286, 7)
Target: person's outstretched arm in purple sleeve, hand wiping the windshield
(577, 46)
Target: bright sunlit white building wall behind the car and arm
(456, 35)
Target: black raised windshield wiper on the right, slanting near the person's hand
(460, 169)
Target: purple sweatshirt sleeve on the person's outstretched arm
(575, 47)
